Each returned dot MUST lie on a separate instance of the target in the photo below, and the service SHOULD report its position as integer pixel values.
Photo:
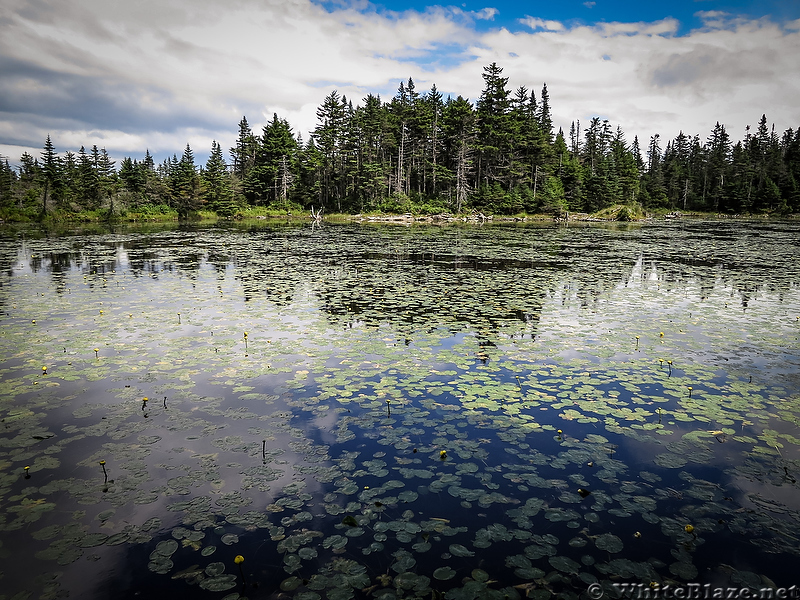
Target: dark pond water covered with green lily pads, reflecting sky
(392, 412)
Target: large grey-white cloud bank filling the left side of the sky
(152, 68)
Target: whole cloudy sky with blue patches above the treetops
(158, 74)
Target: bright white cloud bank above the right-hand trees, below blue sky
(648, 79)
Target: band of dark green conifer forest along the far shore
(426, 154)
